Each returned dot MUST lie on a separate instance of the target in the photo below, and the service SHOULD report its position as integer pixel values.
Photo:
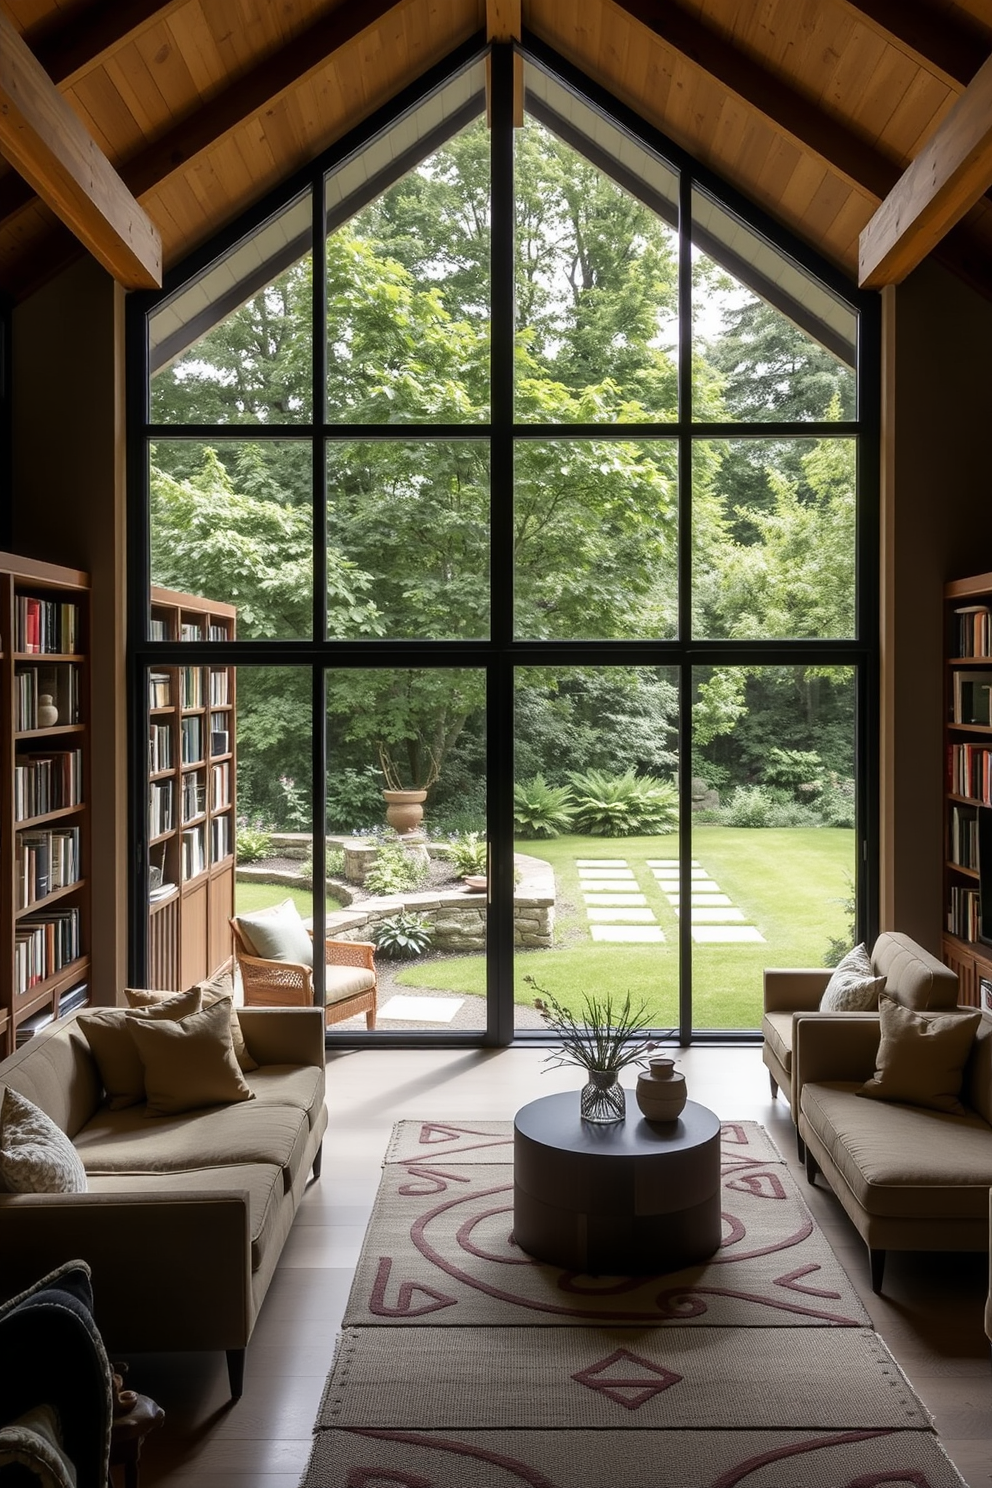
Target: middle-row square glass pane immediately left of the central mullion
(408, 539)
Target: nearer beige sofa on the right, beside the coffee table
(909, 1178)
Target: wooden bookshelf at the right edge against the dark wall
(967, 779)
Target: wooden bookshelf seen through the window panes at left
(193, 777)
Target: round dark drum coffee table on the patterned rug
(634, 1197)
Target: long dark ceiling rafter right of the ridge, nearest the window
(785, 106)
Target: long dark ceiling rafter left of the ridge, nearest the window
(254, 93)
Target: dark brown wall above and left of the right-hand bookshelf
(936, 526)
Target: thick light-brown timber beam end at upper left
(48, 145)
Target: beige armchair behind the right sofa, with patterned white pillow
(912, 977)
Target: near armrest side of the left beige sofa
(188, 1257)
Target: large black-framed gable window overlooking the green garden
(533, 465)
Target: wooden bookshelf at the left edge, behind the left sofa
(45, 923)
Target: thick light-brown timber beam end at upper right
(948, 178)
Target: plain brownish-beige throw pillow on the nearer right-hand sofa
(921, 1057)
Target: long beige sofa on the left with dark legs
(185, 1216)
